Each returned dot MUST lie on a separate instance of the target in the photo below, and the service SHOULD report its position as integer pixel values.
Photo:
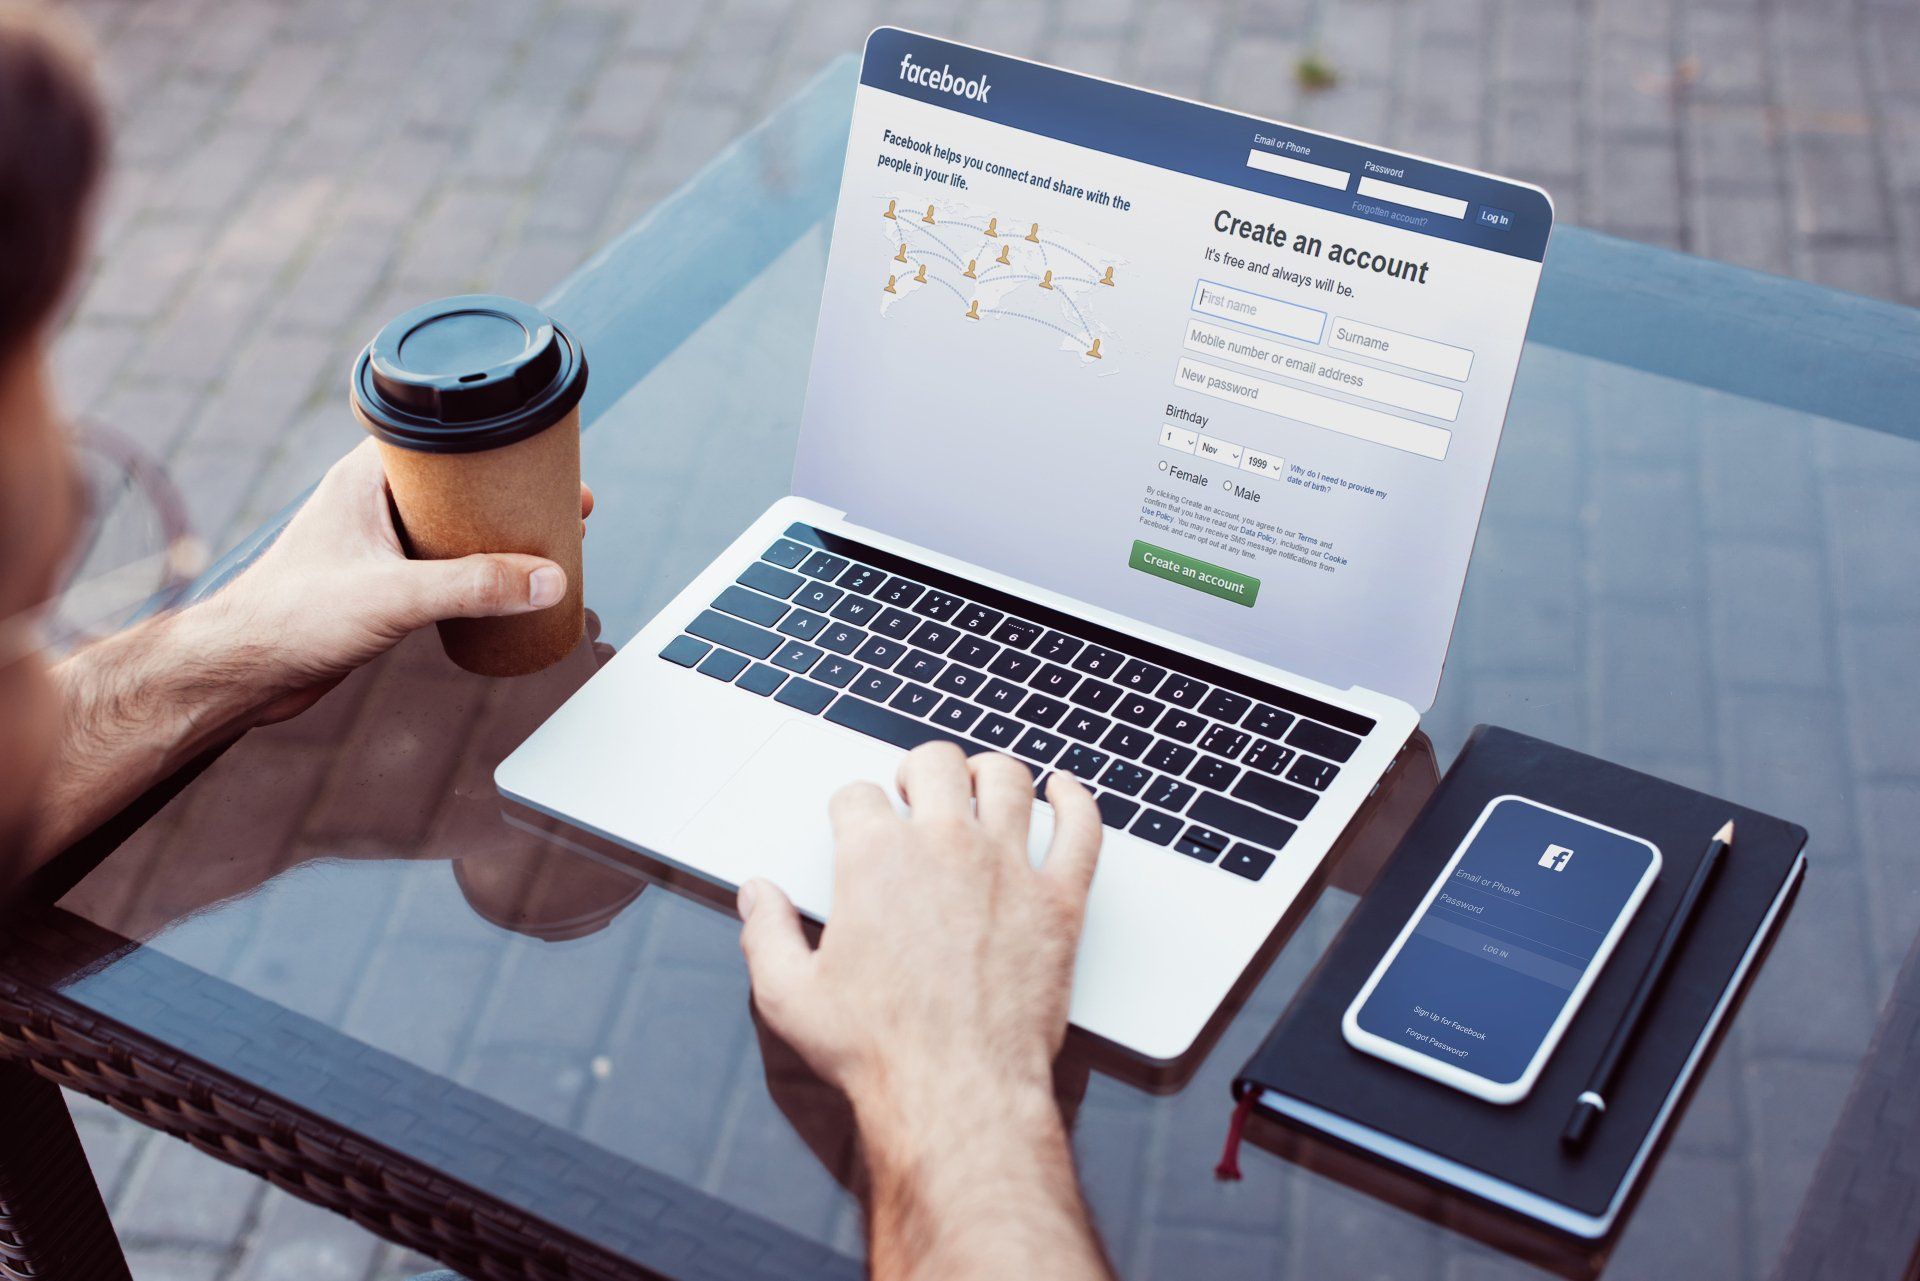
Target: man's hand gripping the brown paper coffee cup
(337, 591)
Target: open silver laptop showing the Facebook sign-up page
(1143, 441)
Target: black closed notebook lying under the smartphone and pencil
(1510, 1155)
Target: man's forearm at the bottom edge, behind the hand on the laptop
(976, 1182)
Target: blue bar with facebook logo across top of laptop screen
(1214, 145)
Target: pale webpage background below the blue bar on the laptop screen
(990, 443)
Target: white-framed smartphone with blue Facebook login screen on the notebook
(1500, 954)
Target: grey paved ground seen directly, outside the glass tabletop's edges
(295, 172)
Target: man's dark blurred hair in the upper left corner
(53, 151)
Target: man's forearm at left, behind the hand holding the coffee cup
(137, 708)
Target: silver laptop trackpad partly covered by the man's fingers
(771, 819)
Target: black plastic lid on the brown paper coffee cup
(469, 374)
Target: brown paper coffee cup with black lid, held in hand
(475, 404)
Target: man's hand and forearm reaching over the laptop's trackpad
(936, 1002)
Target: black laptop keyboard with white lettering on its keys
(909, 656)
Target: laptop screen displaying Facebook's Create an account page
(1228, 377)
